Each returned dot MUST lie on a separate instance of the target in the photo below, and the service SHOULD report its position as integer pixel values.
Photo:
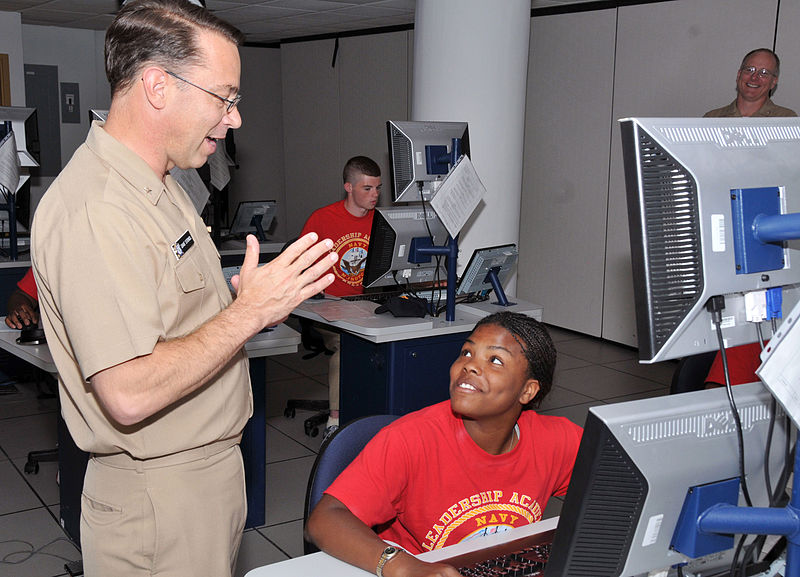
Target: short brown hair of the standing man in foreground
(160, 32)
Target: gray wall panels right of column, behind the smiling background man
(586, 71)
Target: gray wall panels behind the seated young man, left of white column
(335, 106)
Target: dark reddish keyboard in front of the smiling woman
(526, 556)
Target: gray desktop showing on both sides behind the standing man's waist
(278, 341)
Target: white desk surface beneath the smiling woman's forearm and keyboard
(323, 564)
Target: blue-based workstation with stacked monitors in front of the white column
(397, 362)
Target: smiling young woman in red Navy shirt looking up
(480, 463)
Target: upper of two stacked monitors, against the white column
(422, 153)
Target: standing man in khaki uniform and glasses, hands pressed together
(148, 343)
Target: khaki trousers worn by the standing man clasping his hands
(161, 517)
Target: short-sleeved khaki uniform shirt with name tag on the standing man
(122, 260)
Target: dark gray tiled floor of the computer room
(589, 372)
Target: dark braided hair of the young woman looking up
(536, 345)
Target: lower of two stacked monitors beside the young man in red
(397, 233)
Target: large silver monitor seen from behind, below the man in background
(695, 189)
